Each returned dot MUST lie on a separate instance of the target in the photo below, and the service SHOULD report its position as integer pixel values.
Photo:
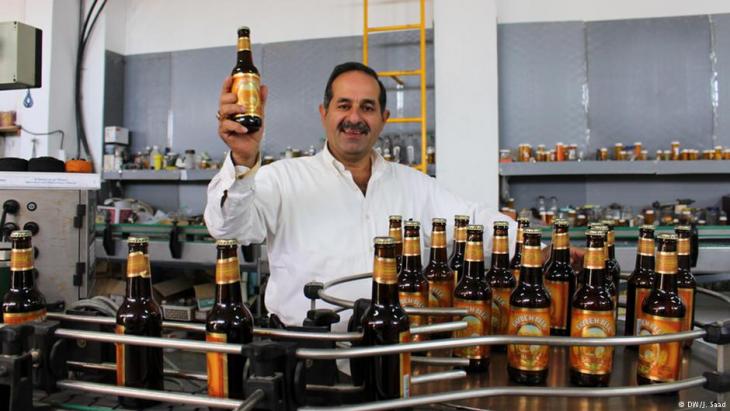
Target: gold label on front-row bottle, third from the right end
(534, 322)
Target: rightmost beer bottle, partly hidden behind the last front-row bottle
(686, 284)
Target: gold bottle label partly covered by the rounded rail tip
(478, 324)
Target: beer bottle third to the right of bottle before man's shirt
(440, 277)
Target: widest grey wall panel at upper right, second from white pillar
(649, 80)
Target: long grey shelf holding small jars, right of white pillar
(615, 168)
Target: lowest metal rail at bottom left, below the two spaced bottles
(164, 396)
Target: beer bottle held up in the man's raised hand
(247, 84)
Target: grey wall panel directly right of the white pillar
(542, 71)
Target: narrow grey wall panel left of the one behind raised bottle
(147, 98)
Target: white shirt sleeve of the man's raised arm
(243, 203)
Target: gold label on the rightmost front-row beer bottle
(659, 362)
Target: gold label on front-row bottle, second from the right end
(592, 324)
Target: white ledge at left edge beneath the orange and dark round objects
(54, 181)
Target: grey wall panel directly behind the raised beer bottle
(197, 76)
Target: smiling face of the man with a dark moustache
(353, 120)
